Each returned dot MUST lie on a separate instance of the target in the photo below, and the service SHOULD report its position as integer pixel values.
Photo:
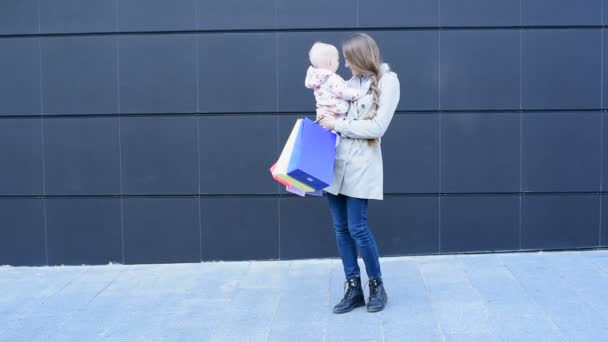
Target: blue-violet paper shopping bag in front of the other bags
(314, 153)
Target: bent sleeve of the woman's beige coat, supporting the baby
(376, 127)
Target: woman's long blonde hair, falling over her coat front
(363, 55)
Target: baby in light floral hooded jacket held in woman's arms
(331, 91)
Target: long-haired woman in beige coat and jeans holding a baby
(358, 170)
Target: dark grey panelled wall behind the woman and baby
(141, 131)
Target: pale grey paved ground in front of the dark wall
(539, 296)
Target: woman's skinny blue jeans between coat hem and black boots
(350, 223)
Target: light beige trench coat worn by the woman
(358, 169)
